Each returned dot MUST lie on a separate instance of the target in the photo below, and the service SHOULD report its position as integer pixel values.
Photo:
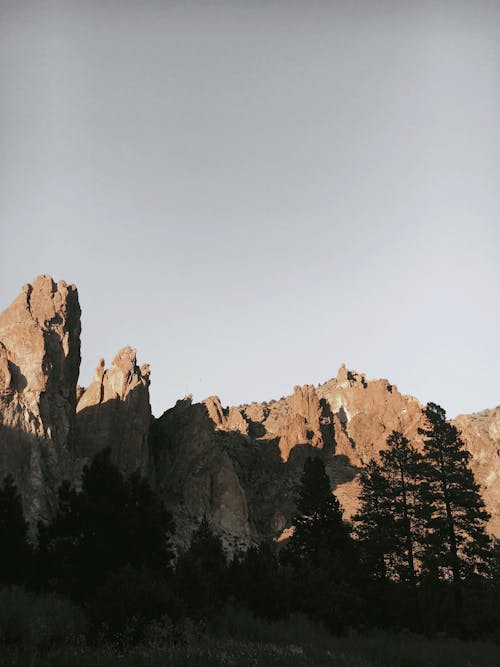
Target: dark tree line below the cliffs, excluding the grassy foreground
(416, 555)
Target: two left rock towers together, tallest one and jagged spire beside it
(45, 435)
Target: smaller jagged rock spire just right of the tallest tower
(114, 411)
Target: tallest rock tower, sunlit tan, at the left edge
(39, 366)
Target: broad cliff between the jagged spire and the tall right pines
(240, 466)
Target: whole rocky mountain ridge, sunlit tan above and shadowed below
(238, 466)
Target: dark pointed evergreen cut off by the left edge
(14, 550)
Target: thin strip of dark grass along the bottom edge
(376, 650)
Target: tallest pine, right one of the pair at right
(457, 545)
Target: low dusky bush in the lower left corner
(38, 622)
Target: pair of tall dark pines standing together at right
(422, 522)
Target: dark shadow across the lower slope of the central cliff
(194, 465)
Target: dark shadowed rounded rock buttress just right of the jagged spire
(194, 472)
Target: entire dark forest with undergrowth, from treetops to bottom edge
(414, 567)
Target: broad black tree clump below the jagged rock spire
(112, 522)
